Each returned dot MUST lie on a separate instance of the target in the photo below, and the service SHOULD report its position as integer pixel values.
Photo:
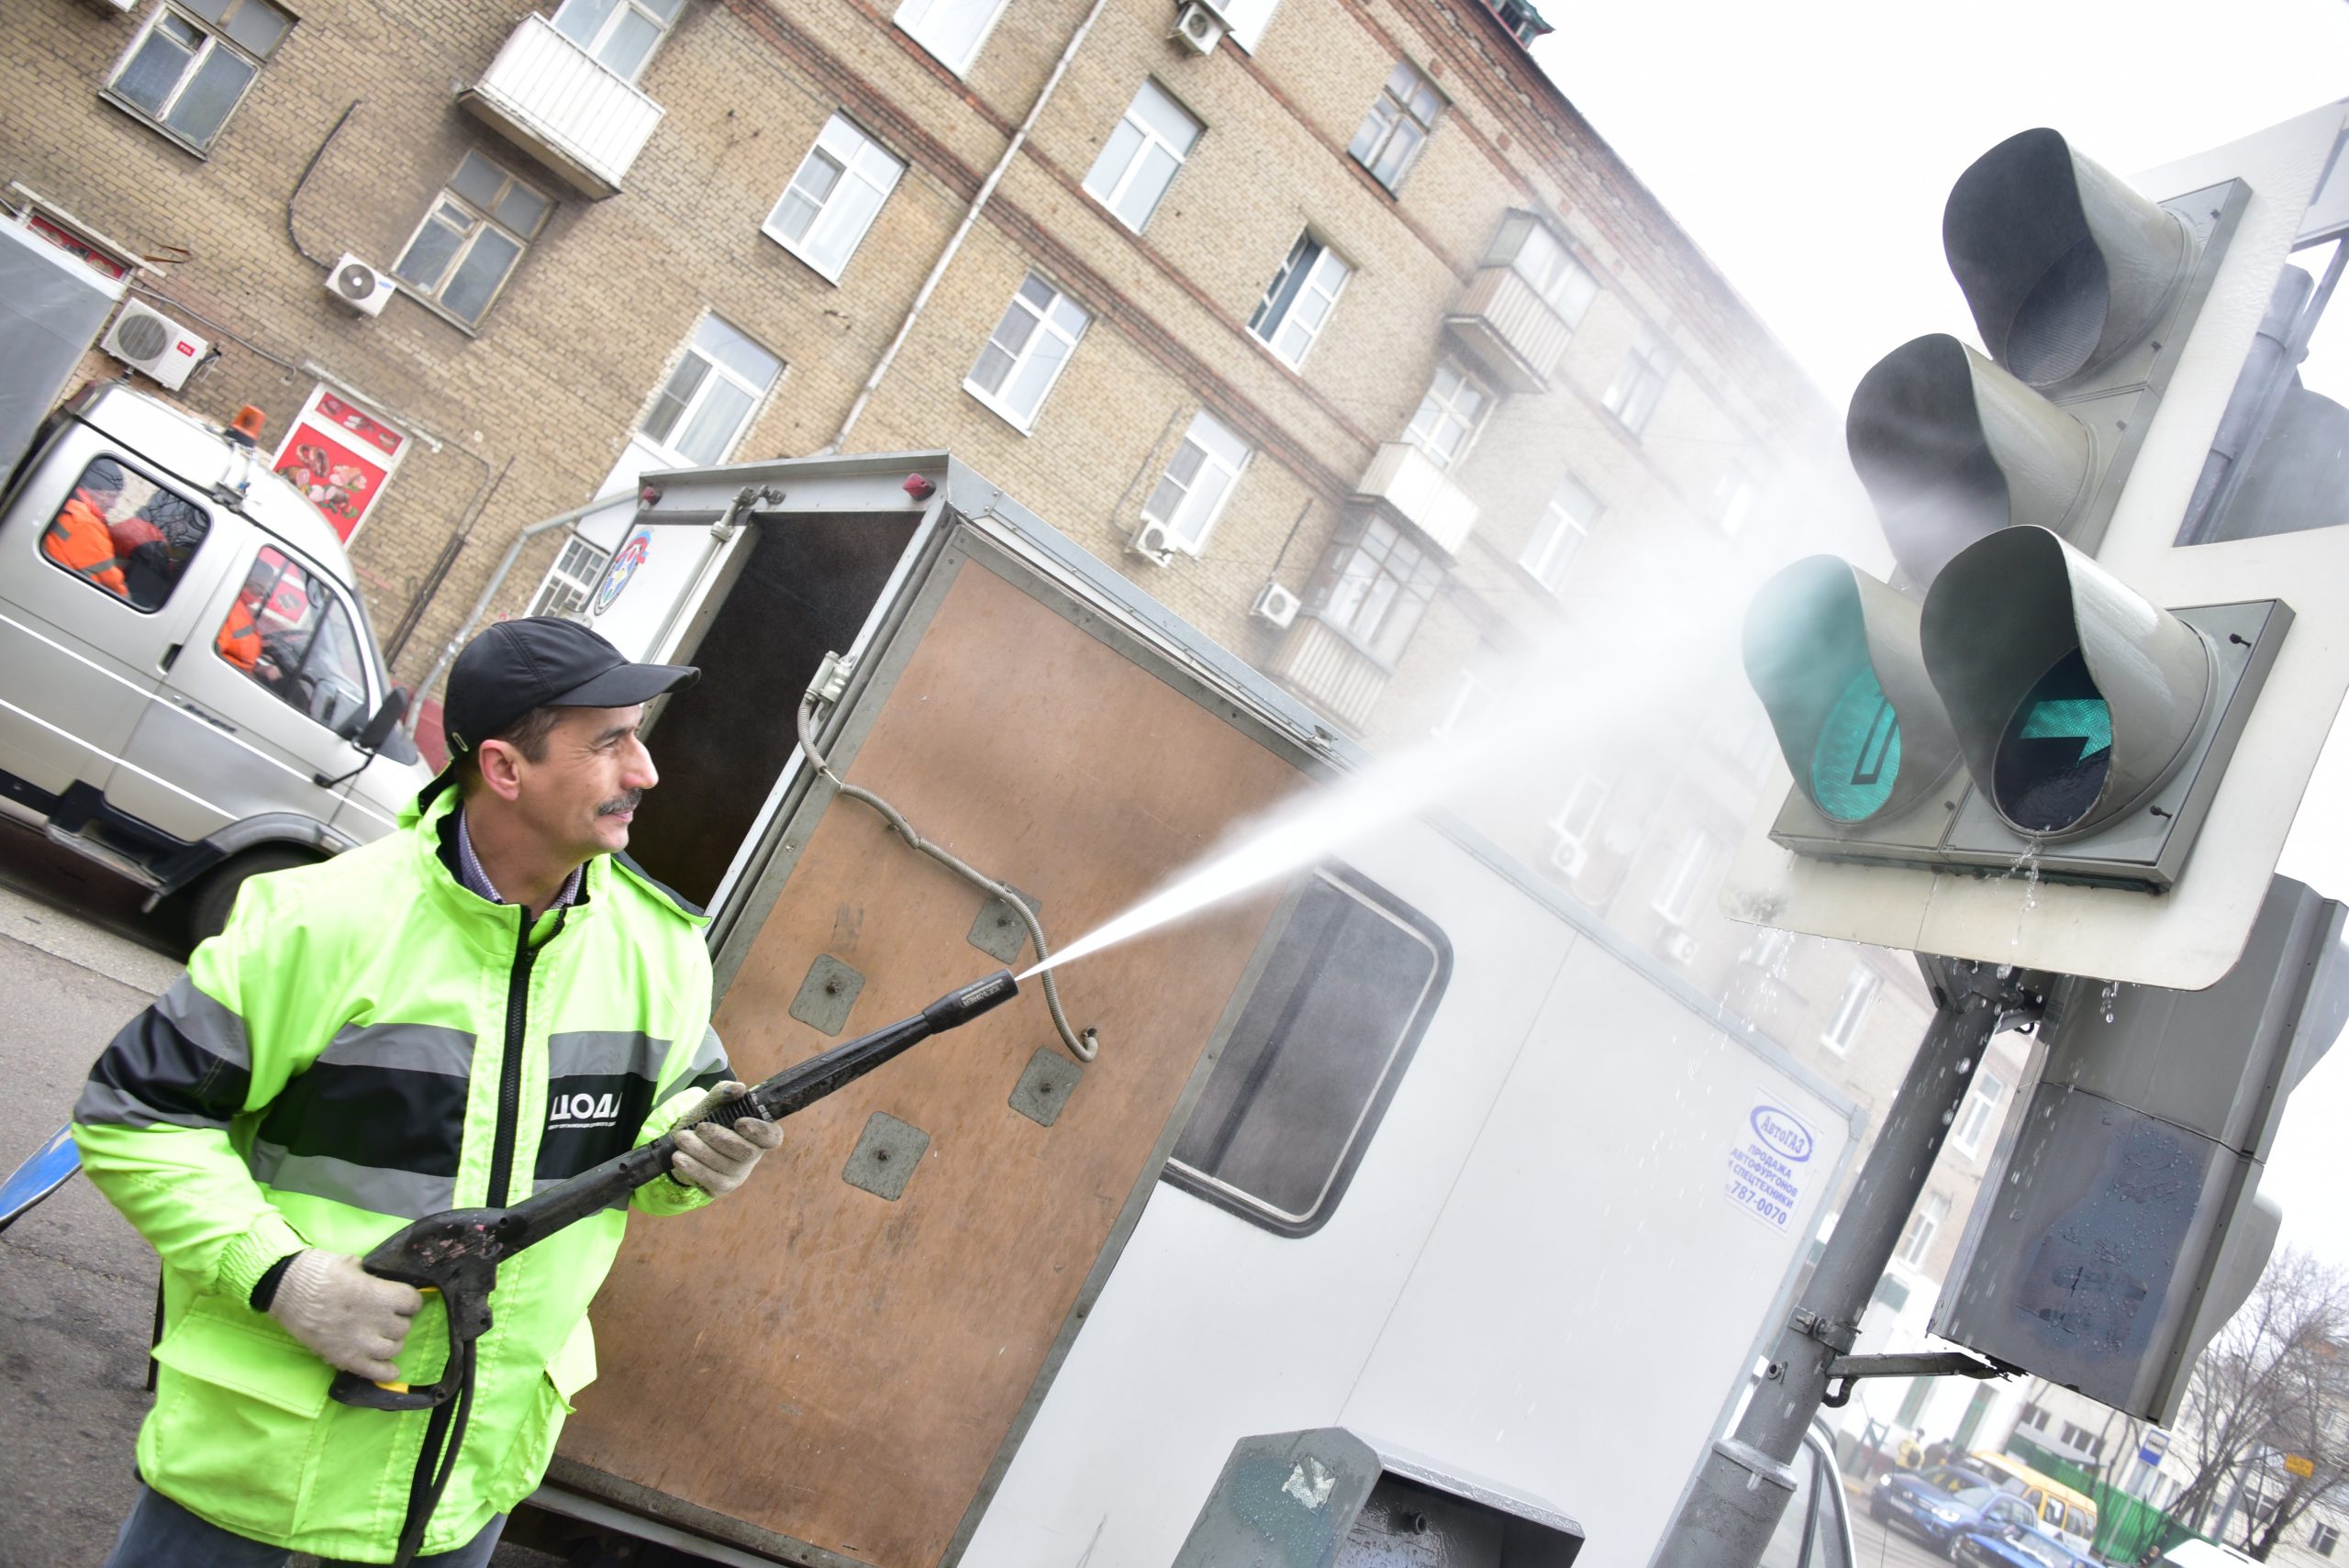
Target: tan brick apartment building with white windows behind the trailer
(1328, 320)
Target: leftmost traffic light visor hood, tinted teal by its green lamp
(1836, 661)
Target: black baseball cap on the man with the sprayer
(544, 663)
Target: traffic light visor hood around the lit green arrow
(2073, 698)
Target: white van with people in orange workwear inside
(189, 684)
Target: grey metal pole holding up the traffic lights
(1746, 1480)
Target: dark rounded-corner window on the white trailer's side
(1321, 1041)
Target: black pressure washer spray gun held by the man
(459, 1252)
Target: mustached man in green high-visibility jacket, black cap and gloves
(476, 1006)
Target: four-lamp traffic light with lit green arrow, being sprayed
(2031, 708)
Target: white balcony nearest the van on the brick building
(560, 107)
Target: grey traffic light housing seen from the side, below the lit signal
(2122, 1219)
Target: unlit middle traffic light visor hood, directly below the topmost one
(1951, 450)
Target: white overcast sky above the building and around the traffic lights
(1810, 149)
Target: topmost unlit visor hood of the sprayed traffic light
(2061, 262)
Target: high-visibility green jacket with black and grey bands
(370, 1043)
